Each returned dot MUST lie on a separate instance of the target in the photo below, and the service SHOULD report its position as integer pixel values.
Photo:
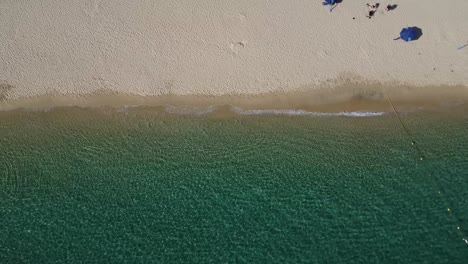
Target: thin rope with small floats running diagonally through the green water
(434, 181)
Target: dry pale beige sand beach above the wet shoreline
(225, 47)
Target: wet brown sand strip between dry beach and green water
(350, 97)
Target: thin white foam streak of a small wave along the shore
(293, 112)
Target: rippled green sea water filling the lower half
(143, 186)
